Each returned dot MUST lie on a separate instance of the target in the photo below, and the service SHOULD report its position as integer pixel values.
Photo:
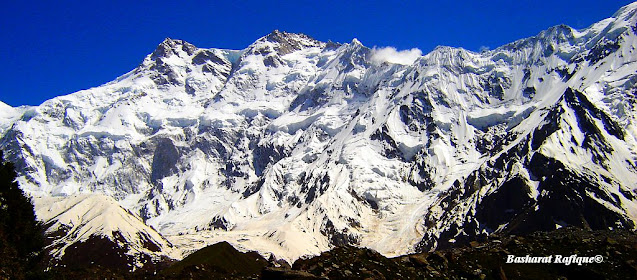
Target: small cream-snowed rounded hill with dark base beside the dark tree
(92, 229)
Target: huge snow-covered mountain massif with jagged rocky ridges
(292, 145)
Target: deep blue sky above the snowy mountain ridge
(51, 48)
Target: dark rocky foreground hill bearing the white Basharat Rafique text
(485, 260)
